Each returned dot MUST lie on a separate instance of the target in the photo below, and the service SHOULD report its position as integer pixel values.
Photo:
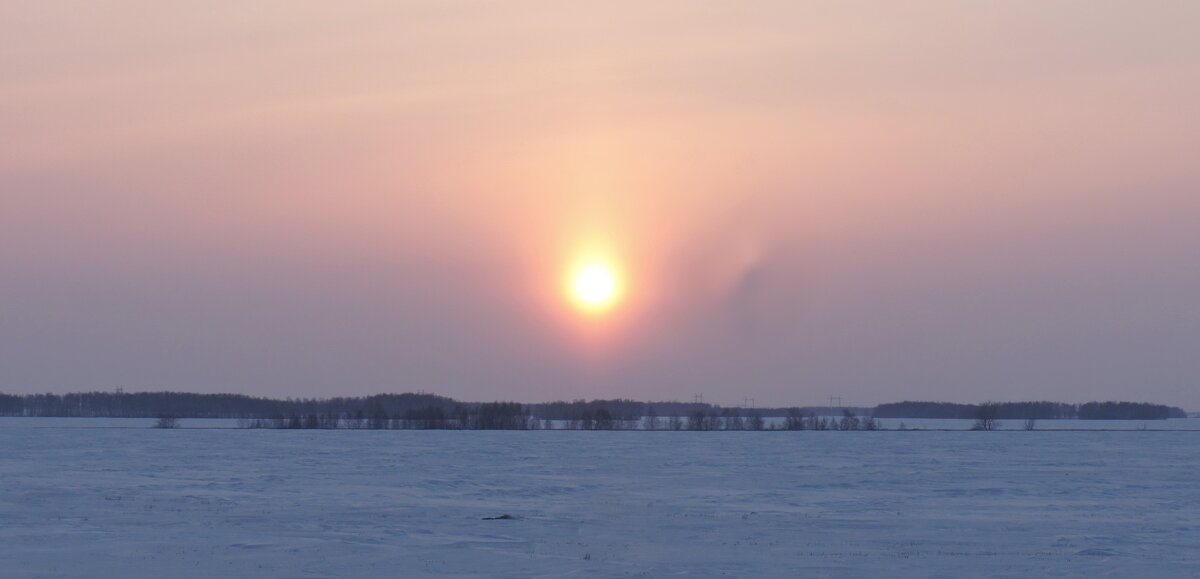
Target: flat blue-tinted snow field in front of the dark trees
(196, 503)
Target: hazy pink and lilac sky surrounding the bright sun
(947, 200)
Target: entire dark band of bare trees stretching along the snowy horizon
(433, 411)
